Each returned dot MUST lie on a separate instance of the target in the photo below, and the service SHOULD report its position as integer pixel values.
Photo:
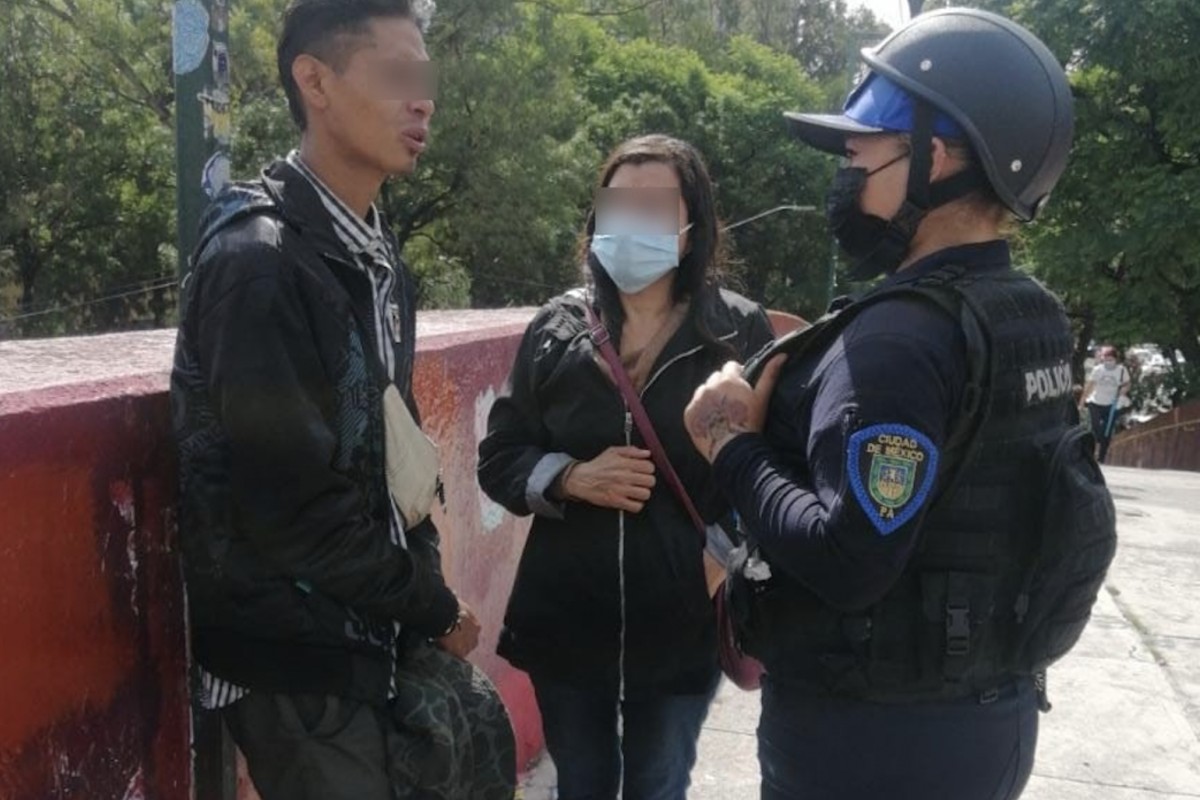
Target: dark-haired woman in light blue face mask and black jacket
(611, 613)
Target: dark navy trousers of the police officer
(827, 749)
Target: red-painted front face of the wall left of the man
(93, 696)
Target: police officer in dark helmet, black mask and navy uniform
(887, 512)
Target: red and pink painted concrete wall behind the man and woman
(93, 642)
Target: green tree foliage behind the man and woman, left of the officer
(535, 94)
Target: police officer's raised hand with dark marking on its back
(728, 406)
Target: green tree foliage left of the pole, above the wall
(85, 176)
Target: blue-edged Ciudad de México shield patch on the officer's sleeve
(892, 471)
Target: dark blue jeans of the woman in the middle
(658, 751)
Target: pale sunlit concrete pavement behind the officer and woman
(1126, 719)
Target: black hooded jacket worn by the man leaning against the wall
(293, 581)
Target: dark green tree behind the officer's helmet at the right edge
(1119, 240)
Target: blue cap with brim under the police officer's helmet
(877, 106)
